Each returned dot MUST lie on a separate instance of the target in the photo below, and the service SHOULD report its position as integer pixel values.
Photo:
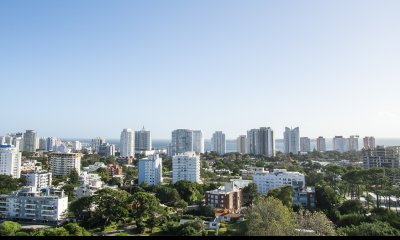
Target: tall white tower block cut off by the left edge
(10, 161)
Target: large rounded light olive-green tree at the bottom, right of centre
(269, 217)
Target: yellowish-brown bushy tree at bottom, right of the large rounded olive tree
(318, 222)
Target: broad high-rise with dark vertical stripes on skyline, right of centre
(261, 142)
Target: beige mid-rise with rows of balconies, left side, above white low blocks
(61, 164)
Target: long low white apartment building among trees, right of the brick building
(278, 178)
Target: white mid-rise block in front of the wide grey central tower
(186, 166)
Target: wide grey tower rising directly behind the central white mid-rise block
(181, 141)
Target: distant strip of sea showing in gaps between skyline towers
(231, 144)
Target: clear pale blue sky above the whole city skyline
(87, 68)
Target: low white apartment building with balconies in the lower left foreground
(47, 205)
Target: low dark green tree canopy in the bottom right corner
(377, 228)
